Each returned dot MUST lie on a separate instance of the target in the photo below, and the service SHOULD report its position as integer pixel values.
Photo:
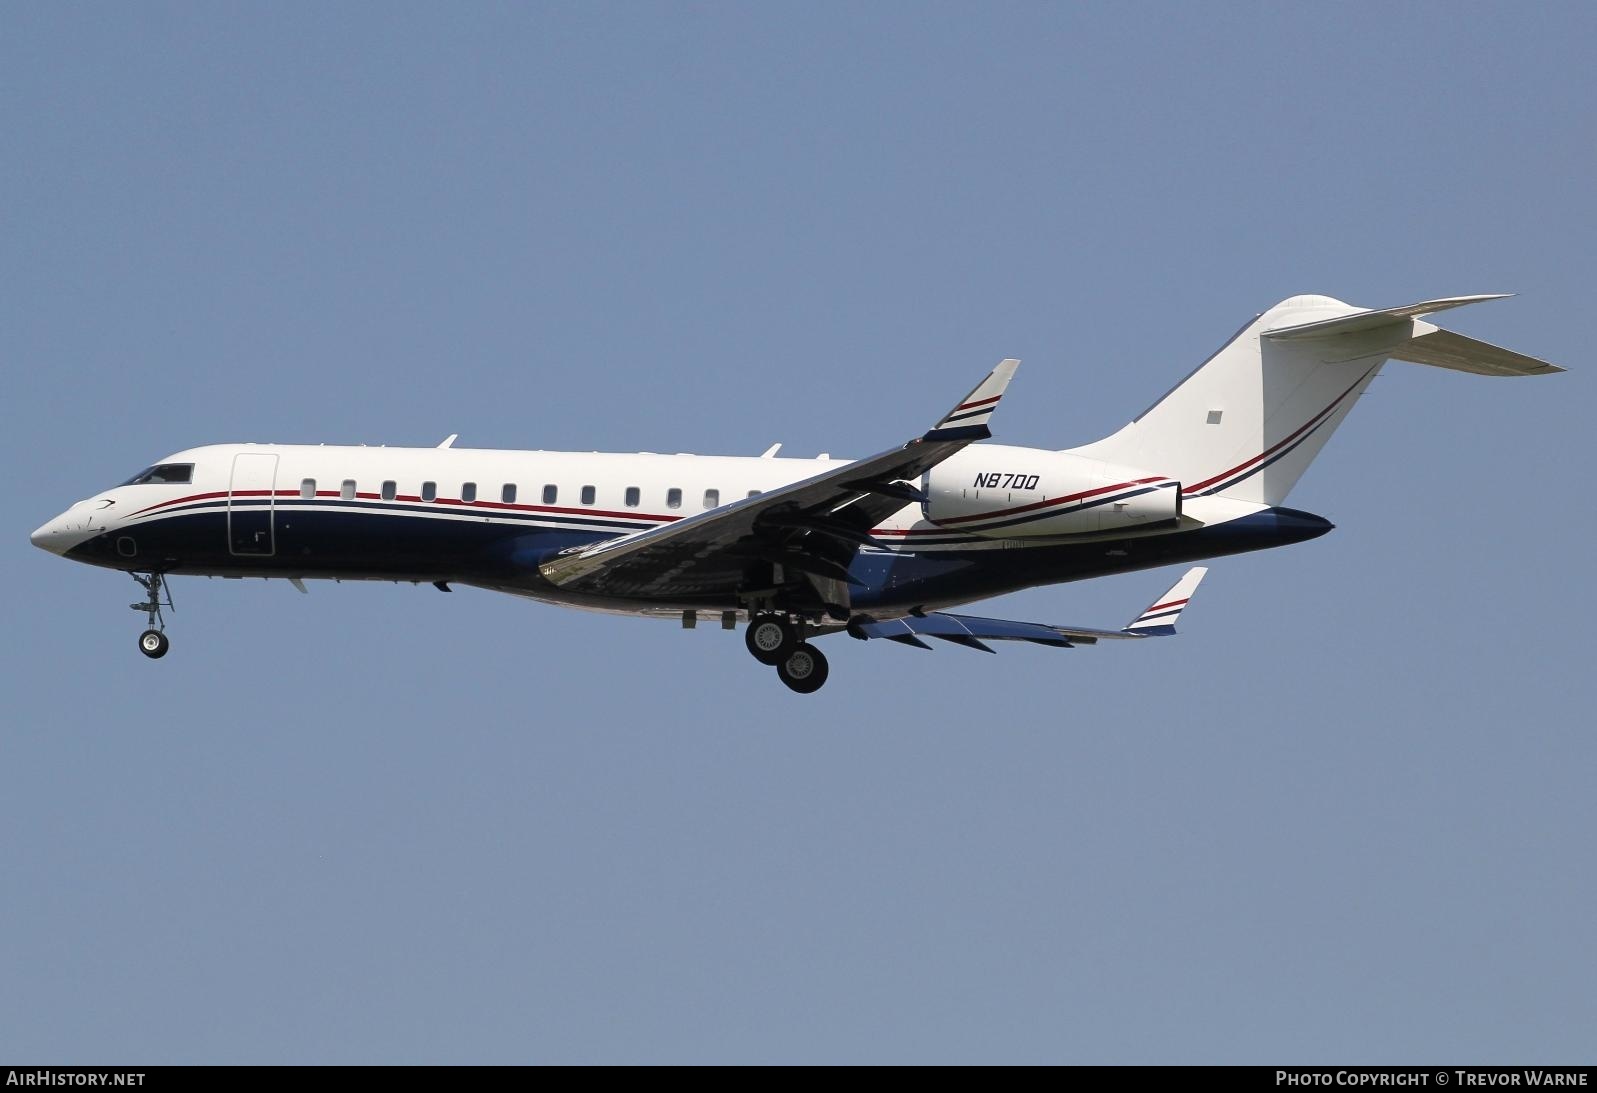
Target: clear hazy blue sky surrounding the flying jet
(1345, 817)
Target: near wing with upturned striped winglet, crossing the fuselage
(812, 528)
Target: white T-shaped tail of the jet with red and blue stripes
(1254, 416)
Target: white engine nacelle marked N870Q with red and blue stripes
(1016, 493)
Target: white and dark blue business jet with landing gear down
(796, 549)
